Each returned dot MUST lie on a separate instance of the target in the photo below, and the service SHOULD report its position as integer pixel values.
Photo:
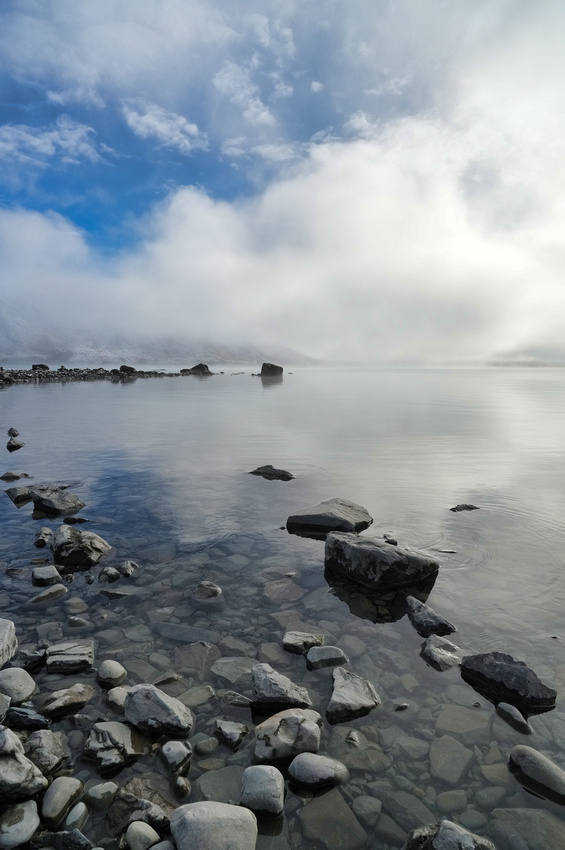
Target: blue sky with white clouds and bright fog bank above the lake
(377, 180)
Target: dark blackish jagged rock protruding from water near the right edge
(500, 678)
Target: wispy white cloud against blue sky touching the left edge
(66, 139)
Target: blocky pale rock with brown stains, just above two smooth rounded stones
(288, 733)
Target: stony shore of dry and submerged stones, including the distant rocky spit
(155, 695)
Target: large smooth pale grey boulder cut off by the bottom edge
(211, 826)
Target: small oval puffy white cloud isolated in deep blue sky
(168, 129)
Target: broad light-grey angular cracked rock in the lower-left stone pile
(156, 713)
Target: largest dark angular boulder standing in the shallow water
(374, 563)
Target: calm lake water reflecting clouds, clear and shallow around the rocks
(163, 464)
